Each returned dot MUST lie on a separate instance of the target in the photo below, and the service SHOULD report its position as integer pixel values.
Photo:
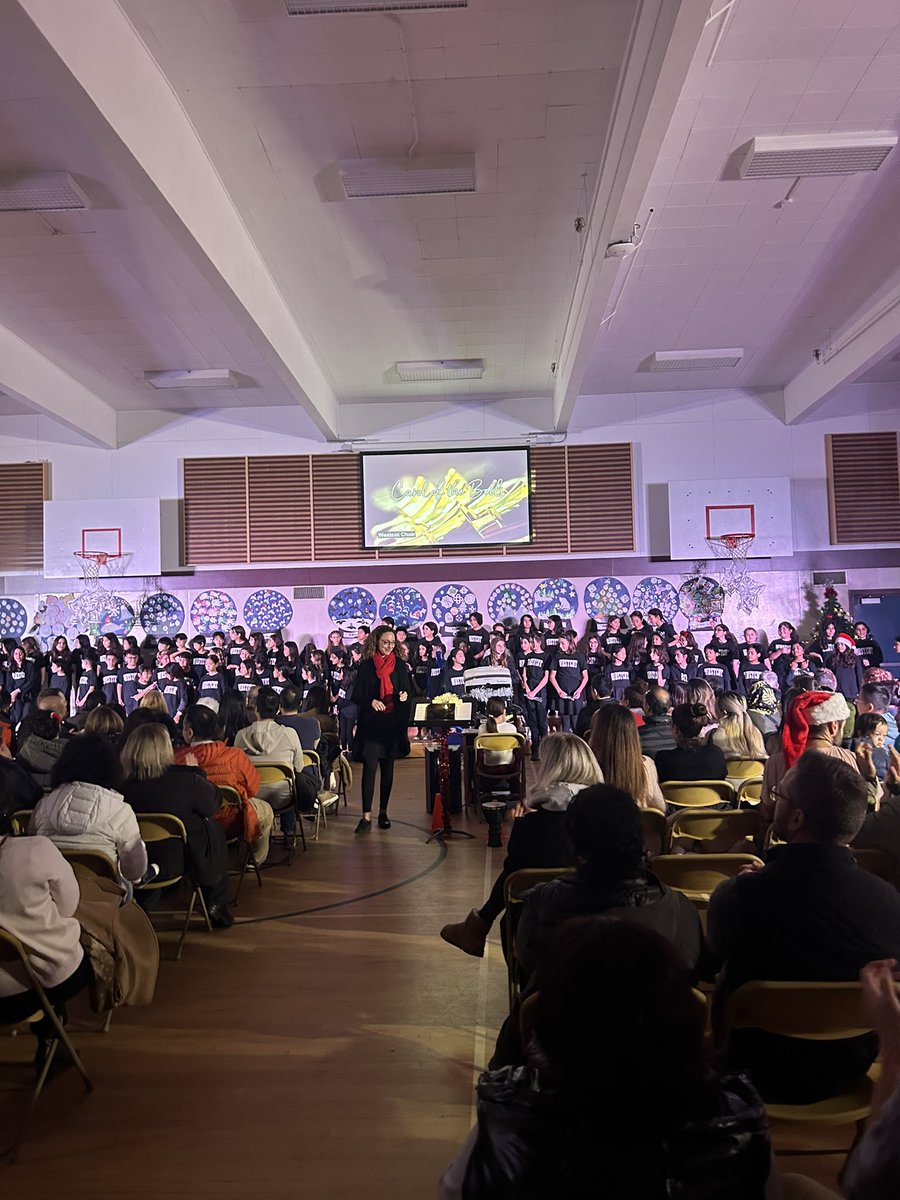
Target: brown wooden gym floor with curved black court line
(327, 1046)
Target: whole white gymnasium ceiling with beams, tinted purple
(200, 131)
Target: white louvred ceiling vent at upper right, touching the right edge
(820, 154)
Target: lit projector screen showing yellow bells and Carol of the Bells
(446, 499)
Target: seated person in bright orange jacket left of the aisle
(227, 767)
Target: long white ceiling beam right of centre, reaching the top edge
(664, 40)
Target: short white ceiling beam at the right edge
(871, 339)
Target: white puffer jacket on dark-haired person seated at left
(86, 817)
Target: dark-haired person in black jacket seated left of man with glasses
(604, 827)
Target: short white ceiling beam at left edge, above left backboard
(35, 380)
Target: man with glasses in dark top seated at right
(812, 915)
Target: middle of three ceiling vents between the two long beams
(369, 178)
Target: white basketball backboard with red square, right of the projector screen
(715, 509)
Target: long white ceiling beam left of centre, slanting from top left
(107, 57)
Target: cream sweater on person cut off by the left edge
(39, 896)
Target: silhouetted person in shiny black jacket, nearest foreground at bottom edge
(616, 1097)
